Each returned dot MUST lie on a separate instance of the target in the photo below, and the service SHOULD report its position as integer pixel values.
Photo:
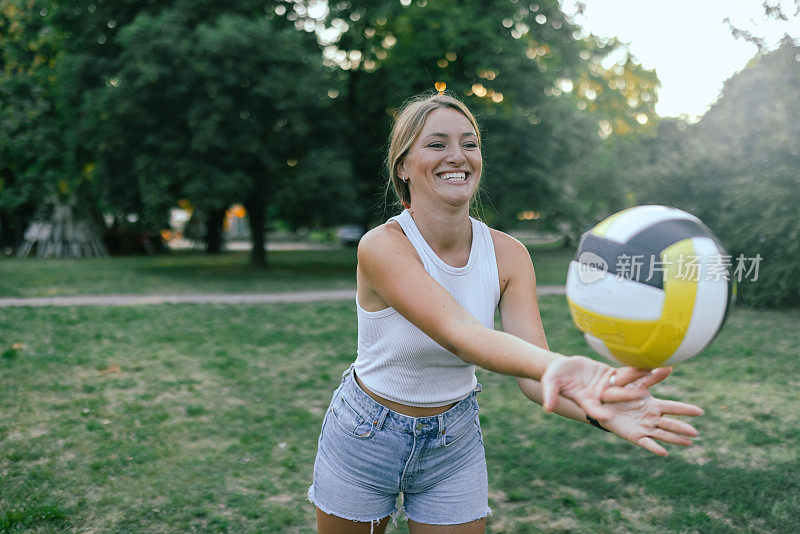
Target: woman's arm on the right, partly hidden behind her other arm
(640, 421)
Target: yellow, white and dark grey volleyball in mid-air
(649, 286)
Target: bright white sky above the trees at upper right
(686, 41)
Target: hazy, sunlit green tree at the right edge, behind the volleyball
(737, 170)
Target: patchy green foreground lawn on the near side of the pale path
(181, 418)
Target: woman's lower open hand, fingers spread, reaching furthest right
(646, 419)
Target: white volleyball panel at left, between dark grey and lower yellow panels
(614, 297)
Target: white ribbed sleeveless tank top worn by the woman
(401, 363)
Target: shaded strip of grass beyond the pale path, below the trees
(192, 273)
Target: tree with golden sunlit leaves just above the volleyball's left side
(596, 177)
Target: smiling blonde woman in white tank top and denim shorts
(405, 417)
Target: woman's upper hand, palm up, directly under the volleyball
(590, 383)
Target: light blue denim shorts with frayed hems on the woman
(368, 455)
